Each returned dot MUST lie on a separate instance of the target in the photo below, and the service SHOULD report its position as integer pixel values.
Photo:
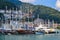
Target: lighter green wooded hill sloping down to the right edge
(44, 12)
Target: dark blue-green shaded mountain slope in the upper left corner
(10, 4)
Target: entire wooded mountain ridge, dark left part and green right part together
(44, 12)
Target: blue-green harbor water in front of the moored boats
(31, 37)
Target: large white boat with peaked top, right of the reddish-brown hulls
(45, 30)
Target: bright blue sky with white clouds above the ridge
(50, 3)
